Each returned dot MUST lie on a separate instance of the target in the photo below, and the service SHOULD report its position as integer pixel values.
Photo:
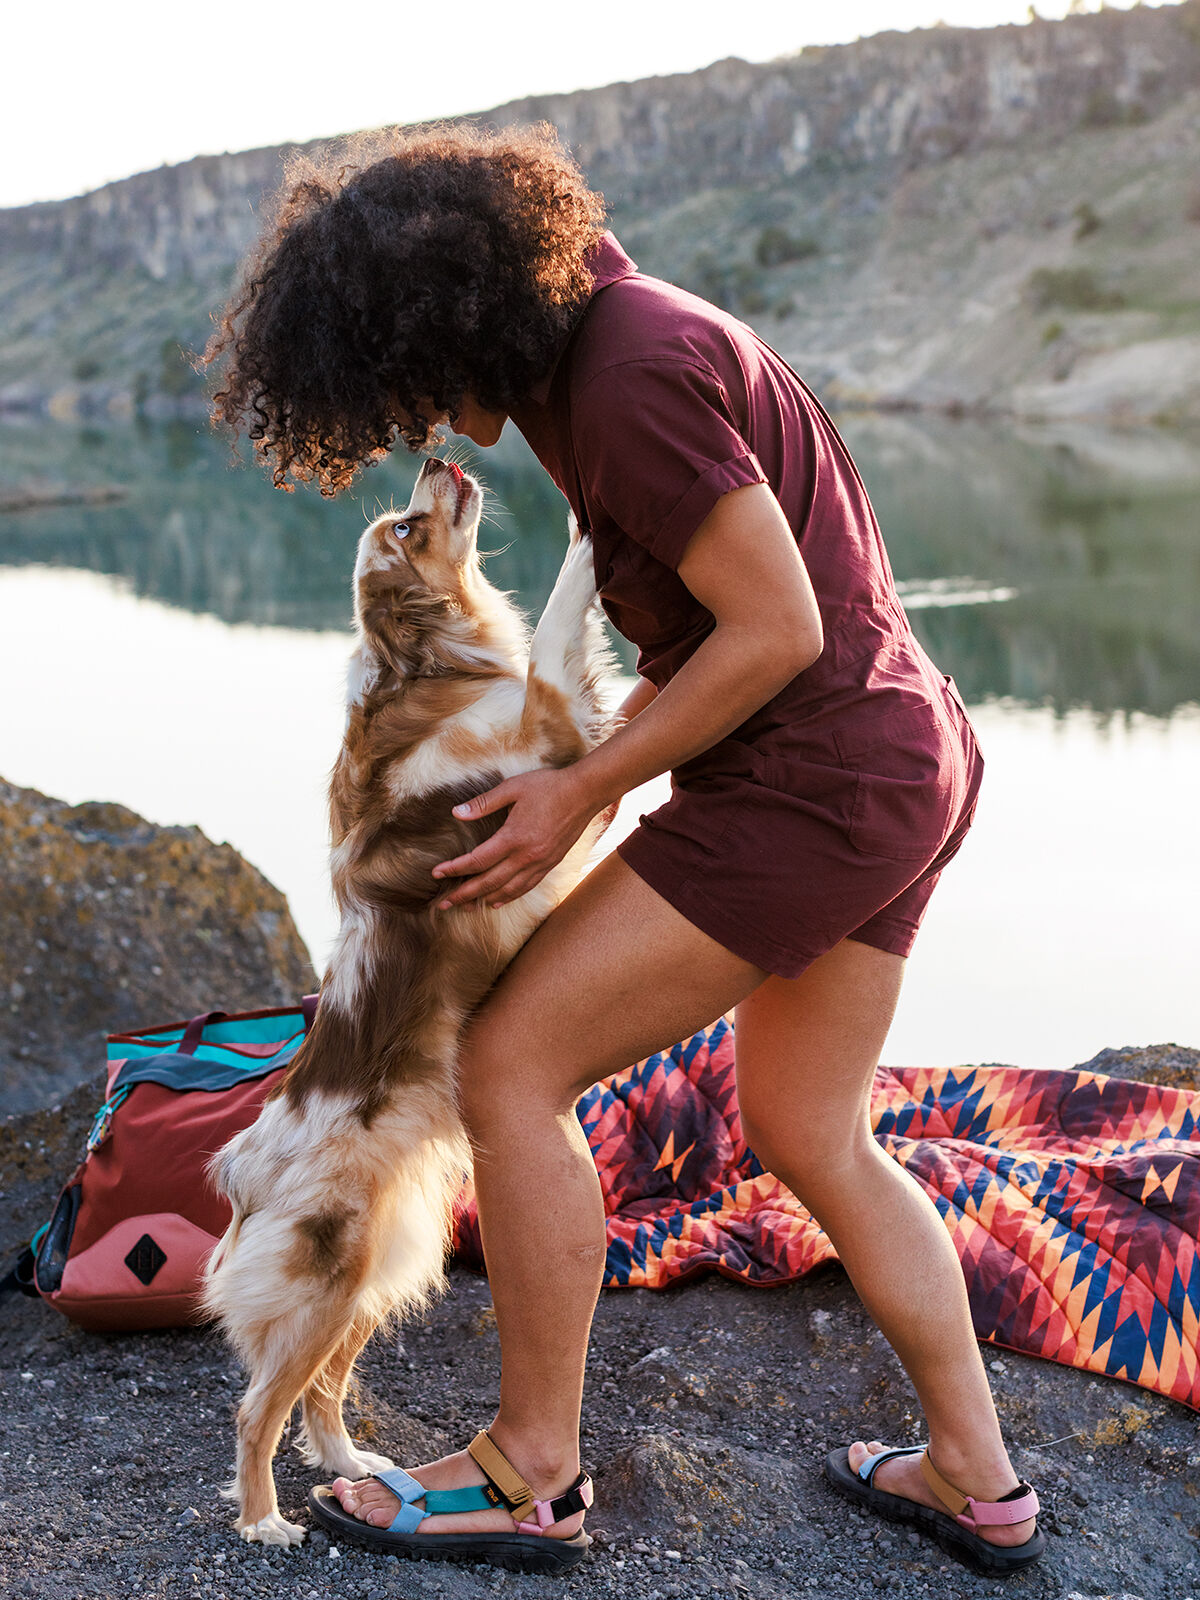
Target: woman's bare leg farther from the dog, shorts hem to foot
(807, 1052)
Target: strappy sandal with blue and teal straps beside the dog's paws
(527, 1551)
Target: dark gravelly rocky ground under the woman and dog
(710, 1410)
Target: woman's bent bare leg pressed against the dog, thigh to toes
(612, 977)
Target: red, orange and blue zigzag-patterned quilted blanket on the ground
(1073, 1199)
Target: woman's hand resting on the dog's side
(548, 812)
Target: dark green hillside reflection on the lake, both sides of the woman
(1047, 567)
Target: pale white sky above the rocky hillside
(98, 92)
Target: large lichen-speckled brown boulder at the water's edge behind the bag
(110, 924)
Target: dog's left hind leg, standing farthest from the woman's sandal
(286, 1362)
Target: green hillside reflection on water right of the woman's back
(1095, 535)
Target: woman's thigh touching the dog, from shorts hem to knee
(614, 975)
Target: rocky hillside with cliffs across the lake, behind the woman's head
(990, 220)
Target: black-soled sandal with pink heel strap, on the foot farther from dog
(953, 1529)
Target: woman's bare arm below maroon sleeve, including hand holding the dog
(743, 564)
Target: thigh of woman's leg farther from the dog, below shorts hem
(807, 1055)
